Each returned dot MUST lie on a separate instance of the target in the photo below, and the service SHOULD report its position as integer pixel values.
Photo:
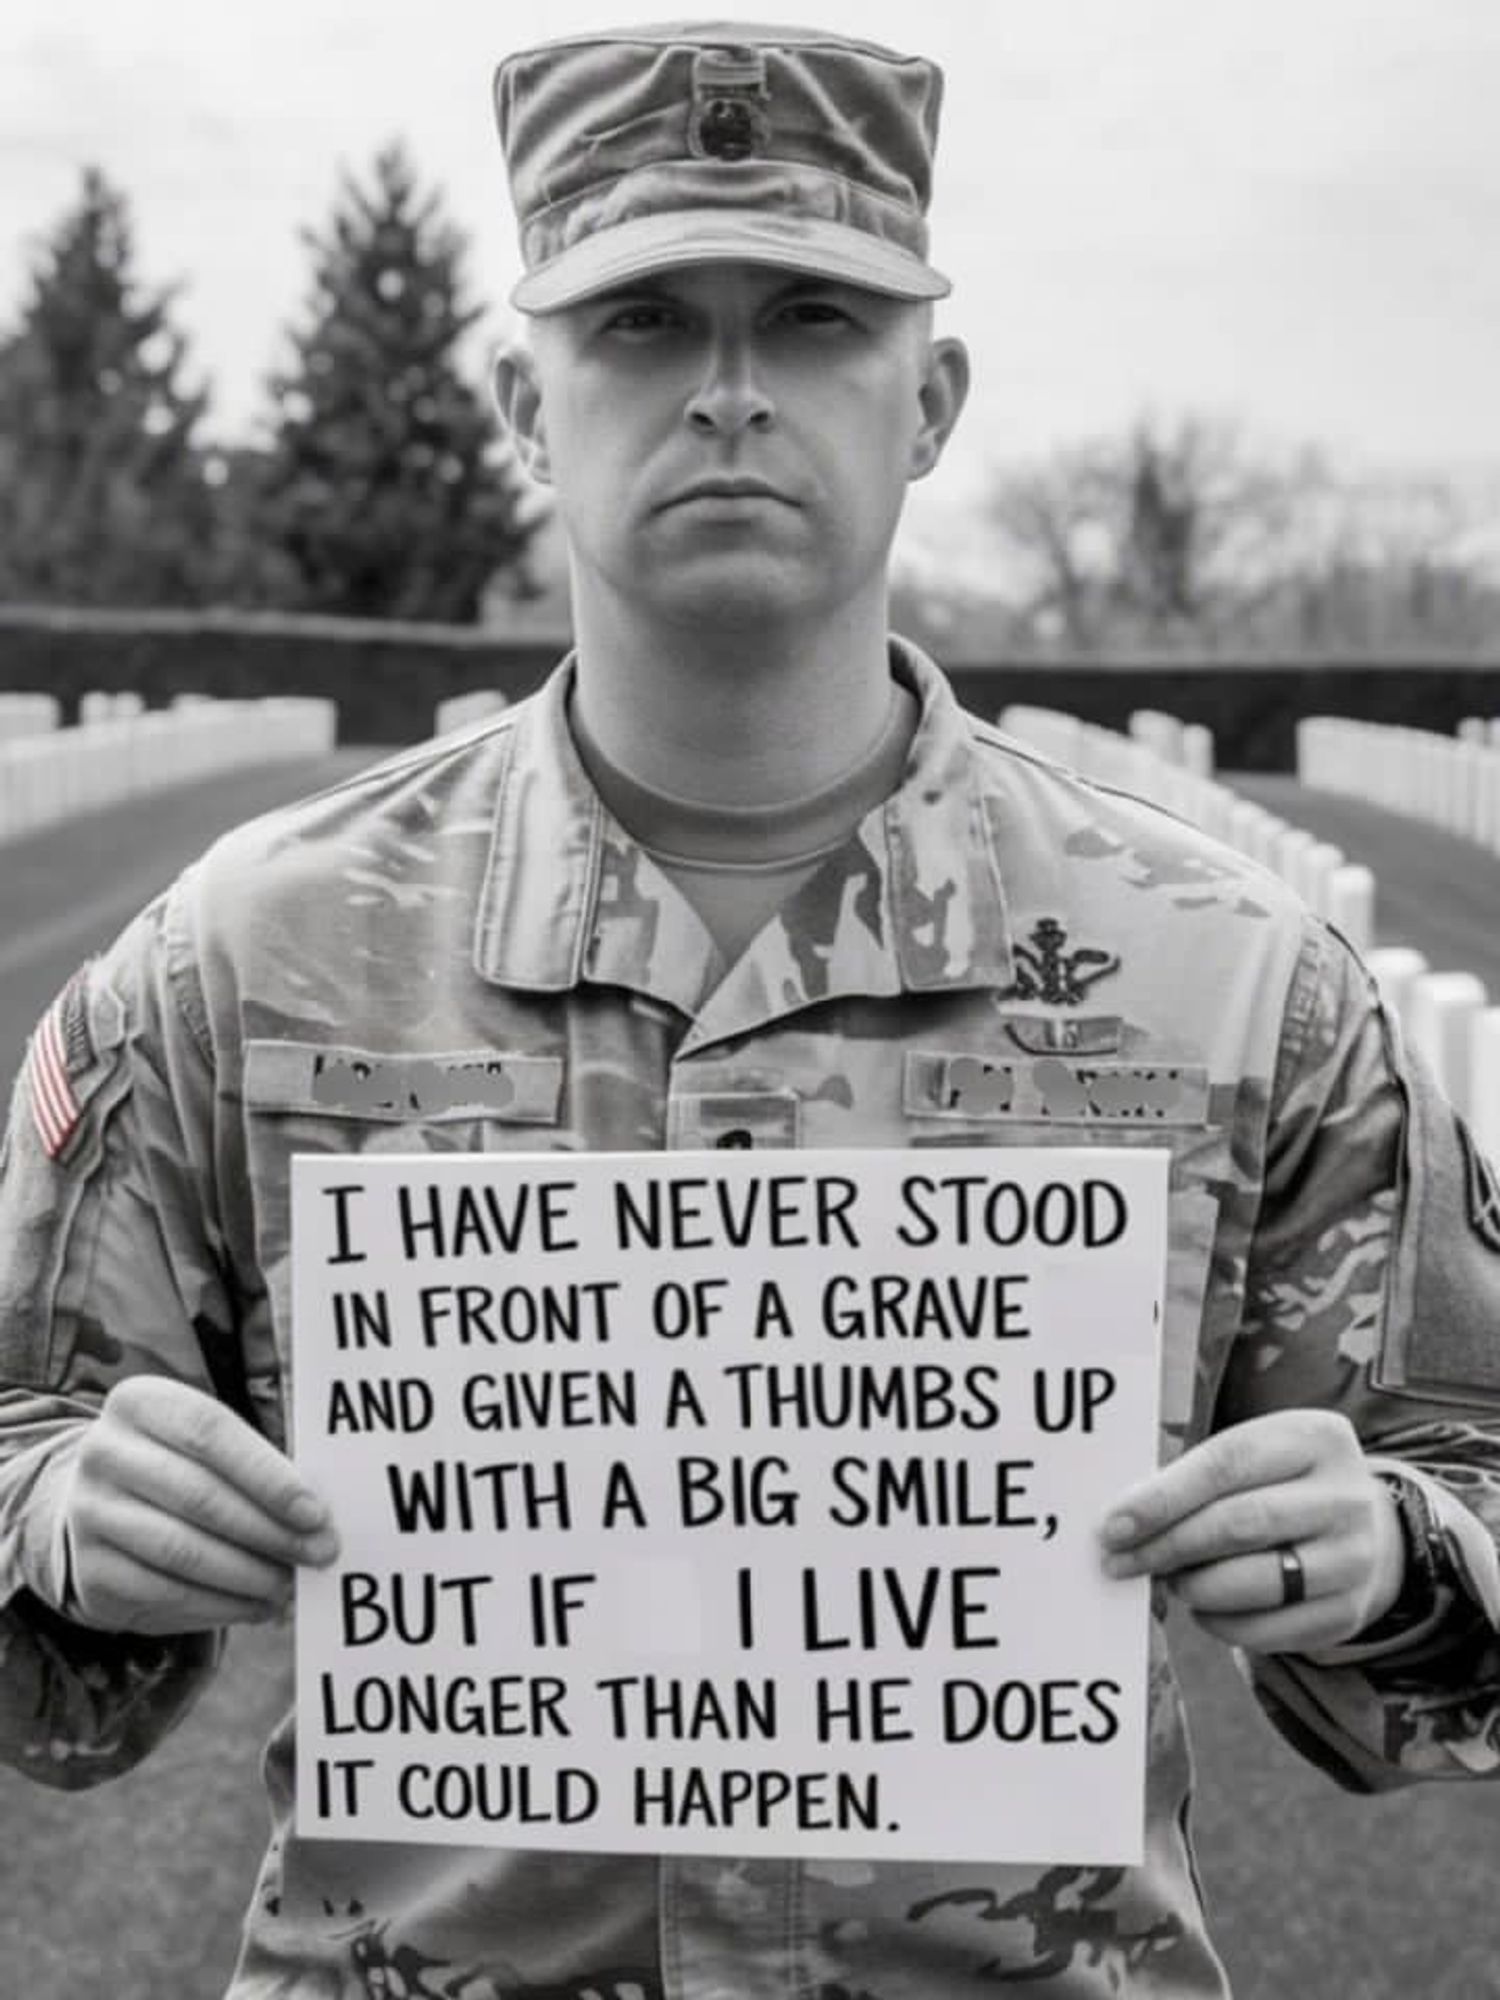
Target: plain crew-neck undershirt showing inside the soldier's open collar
(737, 865)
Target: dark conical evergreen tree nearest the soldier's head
(387, 485)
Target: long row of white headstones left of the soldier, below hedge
(123, 749)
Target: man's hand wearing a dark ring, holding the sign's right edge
(1215, 1523)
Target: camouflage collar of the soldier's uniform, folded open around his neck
(913, 903)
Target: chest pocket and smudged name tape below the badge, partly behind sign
(1103, 1101)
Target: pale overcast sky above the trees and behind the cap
(1277, 211)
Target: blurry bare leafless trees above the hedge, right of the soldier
(1177, 535)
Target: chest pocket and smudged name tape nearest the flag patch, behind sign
(315, 1097)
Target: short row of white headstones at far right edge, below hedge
(1449, 781)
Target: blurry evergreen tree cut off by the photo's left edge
(103, 493)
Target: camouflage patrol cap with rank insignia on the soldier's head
(651, 149)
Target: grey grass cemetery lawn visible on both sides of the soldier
(137, 1889)
